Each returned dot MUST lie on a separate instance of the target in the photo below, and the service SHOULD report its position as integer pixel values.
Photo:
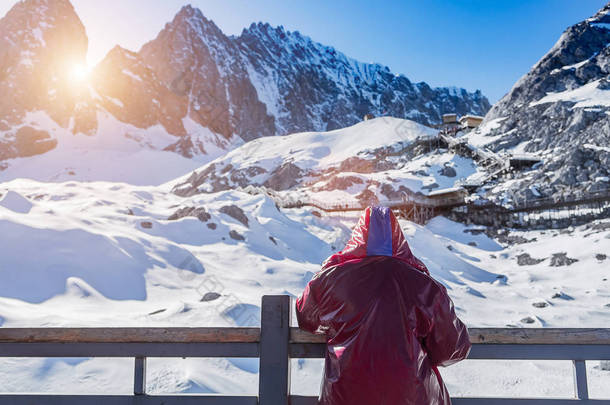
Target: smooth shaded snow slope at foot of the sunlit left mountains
(116, 152)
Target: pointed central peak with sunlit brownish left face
(195, 59)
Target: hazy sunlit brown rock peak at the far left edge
(40, 41)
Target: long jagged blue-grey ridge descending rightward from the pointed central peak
(309, 86)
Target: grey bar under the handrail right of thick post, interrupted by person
(493, 351)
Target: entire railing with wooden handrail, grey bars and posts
(275, 343)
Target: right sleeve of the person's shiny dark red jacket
(447, 341)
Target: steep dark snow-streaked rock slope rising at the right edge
(560, 110)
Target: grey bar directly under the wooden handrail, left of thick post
(129, 350)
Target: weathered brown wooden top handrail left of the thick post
(130, 335)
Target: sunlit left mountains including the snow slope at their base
(60, 122)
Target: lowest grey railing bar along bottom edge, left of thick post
(127, 400)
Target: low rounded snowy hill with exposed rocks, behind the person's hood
(379, 159)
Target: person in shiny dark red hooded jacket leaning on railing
(388, 324)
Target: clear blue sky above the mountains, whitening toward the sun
(476, 44)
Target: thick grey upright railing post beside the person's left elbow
(274, 370)
